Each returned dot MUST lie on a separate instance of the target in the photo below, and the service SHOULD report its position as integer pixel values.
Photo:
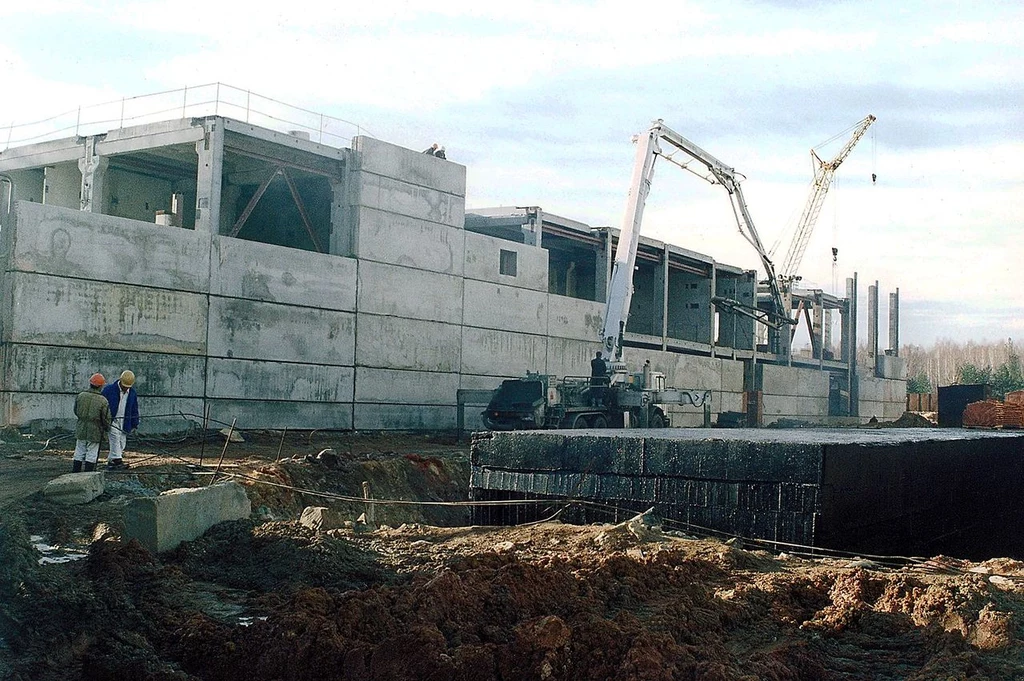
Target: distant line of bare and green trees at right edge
(949, 363)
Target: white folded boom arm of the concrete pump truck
(621, 286)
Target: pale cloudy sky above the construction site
(540, 102)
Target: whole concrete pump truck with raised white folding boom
(624, 399)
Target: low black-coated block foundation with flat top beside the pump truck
(906, 492)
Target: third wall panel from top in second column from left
(276, 381)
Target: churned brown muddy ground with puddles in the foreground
(428, 598)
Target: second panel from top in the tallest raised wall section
(395, 196)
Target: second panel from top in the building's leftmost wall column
(74, 313)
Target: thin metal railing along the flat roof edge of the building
(197, 102)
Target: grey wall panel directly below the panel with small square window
(505, 308)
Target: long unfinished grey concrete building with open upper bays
(252, 275)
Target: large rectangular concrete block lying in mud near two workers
(161, 524)
